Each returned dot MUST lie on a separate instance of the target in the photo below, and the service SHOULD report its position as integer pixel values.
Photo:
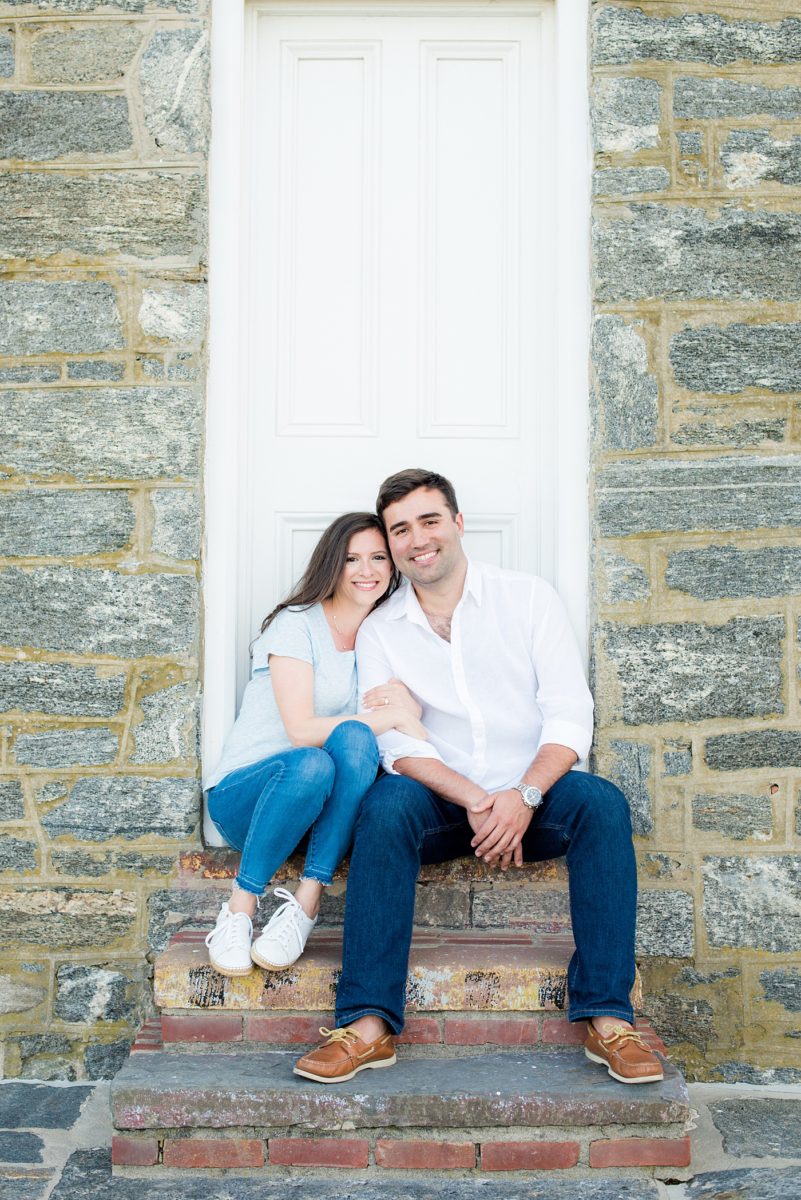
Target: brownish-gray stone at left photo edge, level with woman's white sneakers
(59, 917)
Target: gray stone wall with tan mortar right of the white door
(697, 502)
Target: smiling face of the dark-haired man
(425, 537)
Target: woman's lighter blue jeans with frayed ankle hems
(266, 809)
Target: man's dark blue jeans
(403, 825)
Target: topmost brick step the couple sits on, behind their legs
(461, 895)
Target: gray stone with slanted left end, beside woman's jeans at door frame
(127, 807)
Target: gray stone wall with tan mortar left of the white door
(104, 133)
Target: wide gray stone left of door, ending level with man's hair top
(98, 434)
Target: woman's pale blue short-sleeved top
(260, 733)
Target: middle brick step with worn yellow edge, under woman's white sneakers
(457, 973)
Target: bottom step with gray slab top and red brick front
(495, 1113)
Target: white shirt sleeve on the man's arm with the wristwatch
(563, 694)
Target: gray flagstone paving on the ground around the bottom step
(56, 1138)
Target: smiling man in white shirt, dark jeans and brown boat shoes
(492, 659)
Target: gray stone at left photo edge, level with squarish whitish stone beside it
(74, 317)
